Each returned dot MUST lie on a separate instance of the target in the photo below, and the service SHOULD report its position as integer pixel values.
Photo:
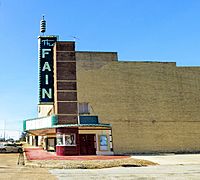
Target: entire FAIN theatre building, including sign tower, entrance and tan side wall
(91, 103)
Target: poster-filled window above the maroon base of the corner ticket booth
(66, 139)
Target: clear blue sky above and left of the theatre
(155, 30)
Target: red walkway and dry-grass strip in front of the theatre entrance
(37, 157)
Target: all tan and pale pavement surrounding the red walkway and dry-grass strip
(172, 167)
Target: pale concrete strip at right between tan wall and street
(171, 159)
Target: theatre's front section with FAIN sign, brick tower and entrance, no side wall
(64, 124)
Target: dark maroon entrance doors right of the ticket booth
(87, 144)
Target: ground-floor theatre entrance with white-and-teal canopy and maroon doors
(88, 137)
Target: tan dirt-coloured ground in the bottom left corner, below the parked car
(10, 170)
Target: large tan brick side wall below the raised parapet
(152, 106)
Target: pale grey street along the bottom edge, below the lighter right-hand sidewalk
(153, 172)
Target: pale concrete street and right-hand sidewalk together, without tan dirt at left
(172, 167)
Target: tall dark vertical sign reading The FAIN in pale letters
(46, 89)
